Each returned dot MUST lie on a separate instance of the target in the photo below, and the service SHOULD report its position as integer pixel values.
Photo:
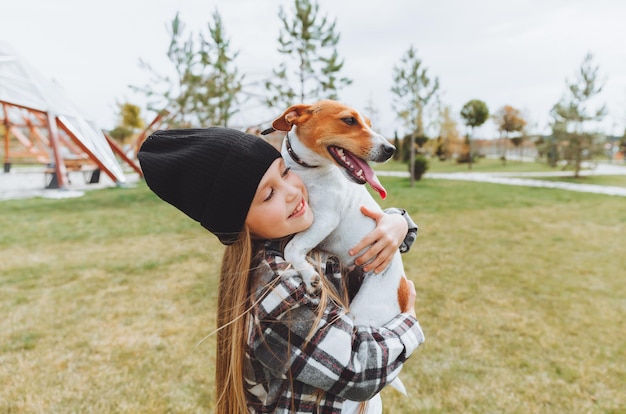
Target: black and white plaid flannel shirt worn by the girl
(286, 374)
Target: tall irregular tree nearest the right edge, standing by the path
(573, 113)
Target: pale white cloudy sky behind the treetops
(516, 52)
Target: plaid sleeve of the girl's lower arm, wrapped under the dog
(353, 362)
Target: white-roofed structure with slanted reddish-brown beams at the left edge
(40, 125)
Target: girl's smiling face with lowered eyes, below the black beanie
(280, 205)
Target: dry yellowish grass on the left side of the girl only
(103, 315)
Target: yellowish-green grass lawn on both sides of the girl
(521, 294)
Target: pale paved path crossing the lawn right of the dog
(520, 179)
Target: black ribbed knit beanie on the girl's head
(209, 174)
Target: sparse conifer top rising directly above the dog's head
(309, 41)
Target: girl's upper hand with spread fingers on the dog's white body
(381, 243)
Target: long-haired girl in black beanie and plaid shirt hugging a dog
(278, 348)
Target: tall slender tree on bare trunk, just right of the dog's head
(413, 90)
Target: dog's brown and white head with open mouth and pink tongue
(341, 135)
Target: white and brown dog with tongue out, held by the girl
(329, 145)
